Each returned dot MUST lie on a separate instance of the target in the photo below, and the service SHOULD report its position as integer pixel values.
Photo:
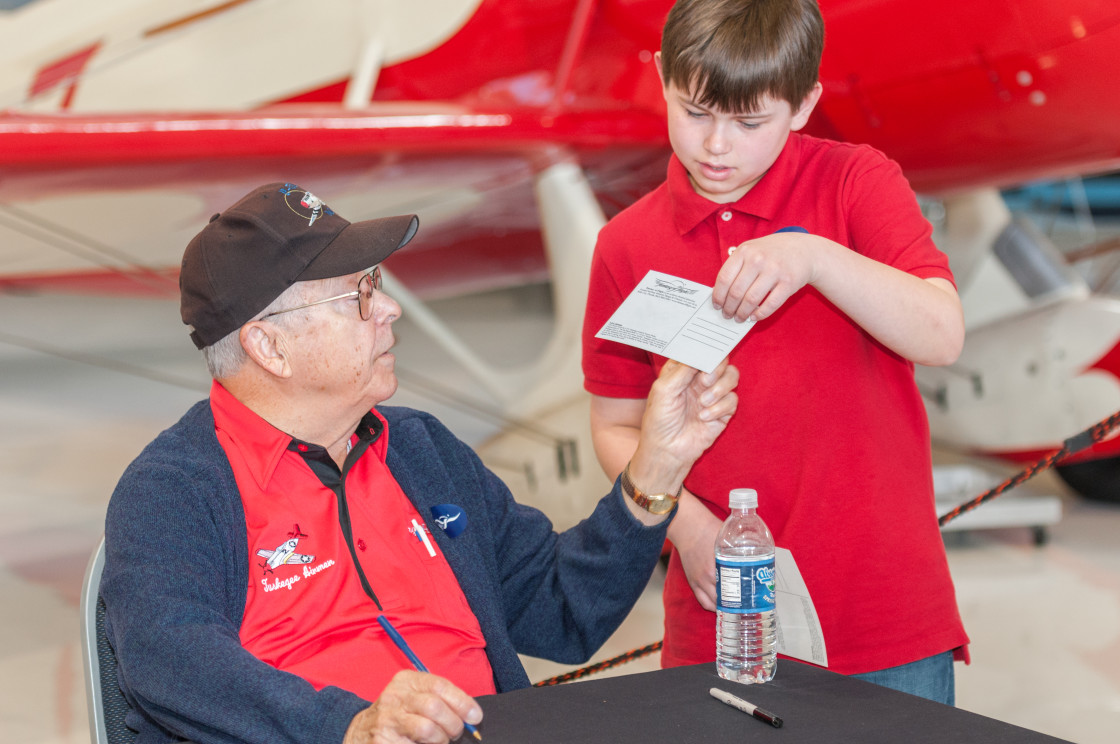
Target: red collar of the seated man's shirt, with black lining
(263, 445)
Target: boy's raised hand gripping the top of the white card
(762, 274)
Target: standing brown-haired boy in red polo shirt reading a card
(832, 431)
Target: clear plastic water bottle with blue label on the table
(745, 622)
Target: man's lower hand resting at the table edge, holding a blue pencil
(415, 708)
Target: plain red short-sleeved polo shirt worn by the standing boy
(830, 427)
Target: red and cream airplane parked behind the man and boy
(515, 128)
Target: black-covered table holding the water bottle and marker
(675, 706)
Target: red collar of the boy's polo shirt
(762, 201)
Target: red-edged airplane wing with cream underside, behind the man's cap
(109, 202)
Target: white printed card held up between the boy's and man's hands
(675, 318)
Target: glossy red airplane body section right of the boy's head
(965, 96)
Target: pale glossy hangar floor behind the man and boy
(87, 383)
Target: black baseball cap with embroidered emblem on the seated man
(277, 236)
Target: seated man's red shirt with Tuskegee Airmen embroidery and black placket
(306, 610)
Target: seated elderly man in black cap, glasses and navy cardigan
(256, 547)
